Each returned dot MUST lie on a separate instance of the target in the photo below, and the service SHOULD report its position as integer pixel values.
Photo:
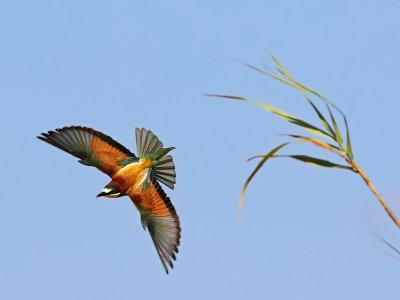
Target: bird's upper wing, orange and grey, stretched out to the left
(92, 147)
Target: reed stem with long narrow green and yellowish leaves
(327, 135)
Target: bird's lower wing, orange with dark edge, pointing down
(159, 217)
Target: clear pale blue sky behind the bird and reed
(304, 231)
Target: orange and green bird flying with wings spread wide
(138, 177)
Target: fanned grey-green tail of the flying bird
(149, 146)
